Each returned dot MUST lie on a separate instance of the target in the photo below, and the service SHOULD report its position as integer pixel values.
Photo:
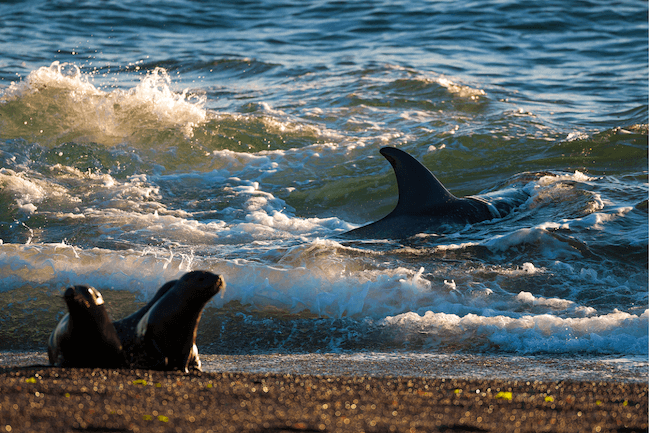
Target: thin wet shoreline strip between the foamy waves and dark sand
(631, 368)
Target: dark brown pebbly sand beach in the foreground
(55, 399)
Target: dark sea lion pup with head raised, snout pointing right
(166, 334)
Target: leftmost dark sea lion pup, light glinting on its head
(85, 336)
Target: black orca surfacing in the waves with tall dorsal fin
(425, 205)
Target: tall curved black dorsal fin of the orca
(419, 190)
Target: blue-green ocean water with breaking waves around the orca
(142, 140)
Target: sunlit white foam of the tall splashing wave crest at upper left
(99, 116)
